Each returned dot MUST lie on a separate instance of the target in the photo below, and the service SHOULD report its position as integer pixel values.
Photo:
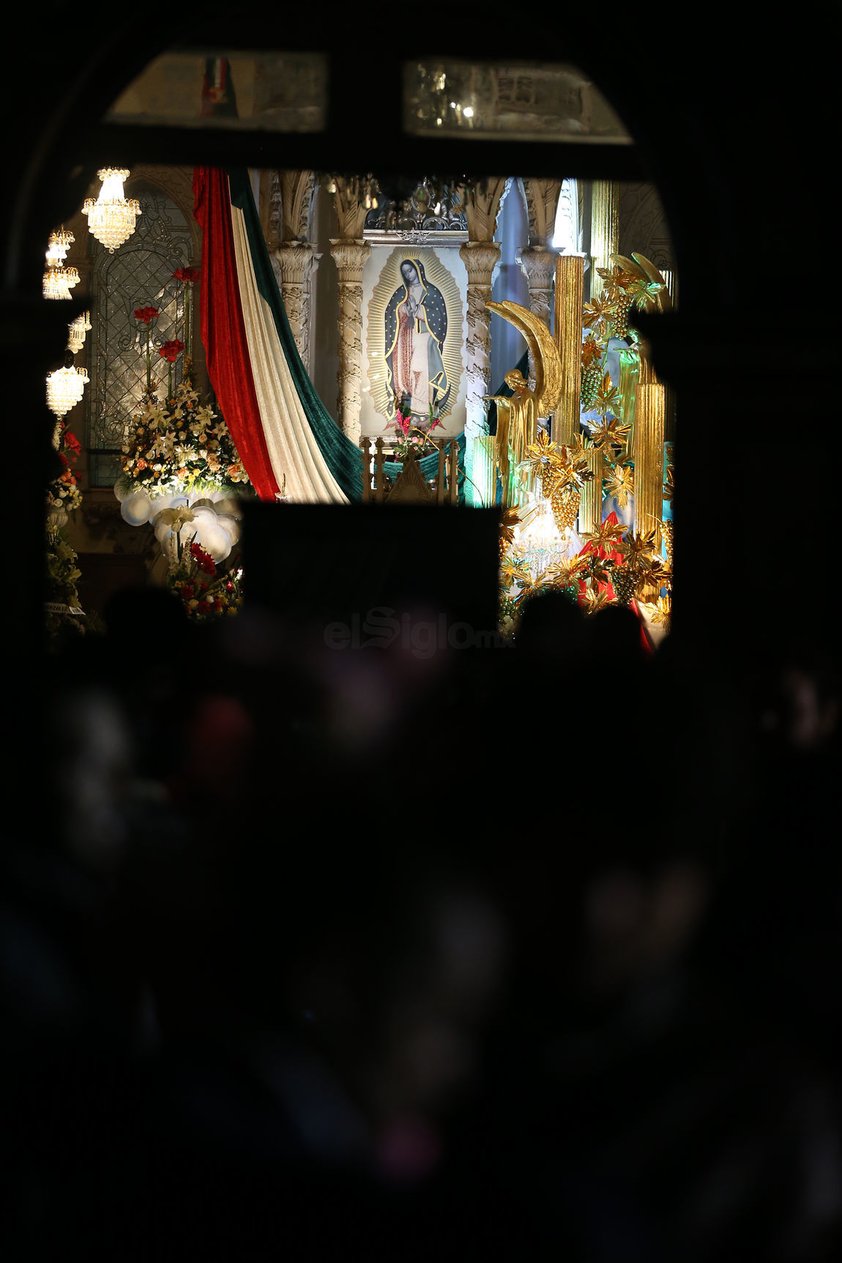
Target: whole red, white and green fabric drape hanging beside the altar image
(287, 440)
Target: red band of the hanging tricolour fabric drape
(223, 330)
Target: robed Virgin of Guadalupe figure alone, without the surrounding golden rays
(416, 328)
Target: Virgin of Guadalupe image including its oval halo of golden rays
(416, 333)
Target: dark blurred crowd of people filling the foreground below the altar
(518, 952)
